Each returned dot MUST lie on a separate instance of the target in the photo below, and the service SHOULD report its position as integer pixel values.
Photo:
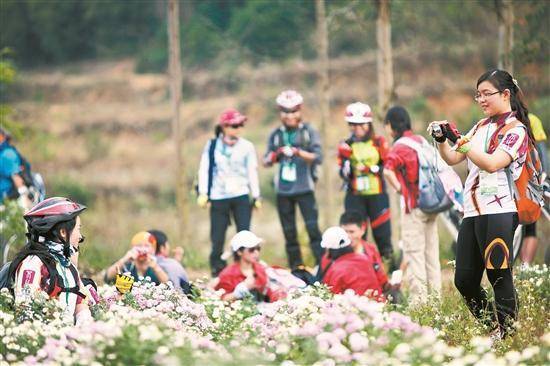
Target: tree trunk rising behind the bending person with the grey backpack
(384, 61)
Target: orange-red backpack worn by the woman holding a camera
(527, 189)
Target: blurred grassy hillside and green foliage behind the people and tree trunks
(85, 91)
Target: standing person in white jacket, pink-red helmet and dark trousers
(228, 176)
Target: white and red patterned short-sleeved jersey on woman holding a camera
(485, 193)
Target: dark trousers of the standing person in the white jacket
(220, 211)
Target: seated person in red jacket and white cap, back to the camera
(342, 269)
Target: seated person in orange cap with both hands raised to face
(139, 261)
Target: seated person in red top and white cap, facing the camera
(246, 276)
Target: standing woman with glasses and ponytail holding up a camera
(490, 218)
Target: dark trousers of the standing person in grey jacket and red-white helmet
(286, 207)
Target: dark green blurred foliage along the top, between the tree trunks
(218, 31)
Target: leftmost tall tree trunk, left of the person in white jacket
(175, 75)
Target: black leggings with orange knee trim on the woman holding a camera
(485, 243)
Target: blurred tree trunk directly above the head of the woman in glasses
(505, 15)
